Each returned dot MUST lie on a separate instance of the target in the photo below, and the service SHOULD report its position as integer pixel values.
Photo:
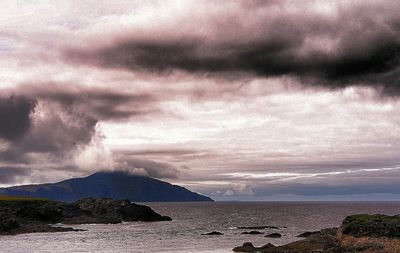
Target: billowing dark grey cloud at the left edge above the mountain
(40, 130)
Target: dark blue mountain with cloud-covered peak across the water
(116, 185)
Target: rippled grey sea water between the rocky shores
(190, 220)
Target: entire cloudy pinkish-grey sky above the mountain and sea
(239, 100)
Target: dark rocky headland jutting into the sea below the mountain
(30, 216)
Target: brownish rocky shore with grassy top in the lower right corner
(357, 234)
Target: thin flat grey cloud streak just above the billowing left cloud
(98, 103)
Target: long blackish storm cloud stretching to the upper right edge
(361, 45)
